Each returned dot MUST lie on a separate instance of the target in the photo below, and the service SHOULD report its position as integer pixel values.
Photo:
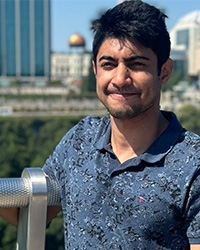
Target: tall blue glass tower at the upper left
(24, 41)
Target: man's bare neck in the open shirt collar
(132, 137)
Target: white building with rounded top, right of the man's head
(185, 40)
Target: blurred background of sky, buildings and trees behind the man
(47, 84)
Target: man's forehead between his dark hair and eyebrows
(114, 46)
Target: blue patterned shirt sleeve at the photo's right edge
(193, 210)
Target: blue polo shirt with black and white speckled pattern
(149, 202)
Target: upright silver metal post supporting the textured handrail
(32, 218)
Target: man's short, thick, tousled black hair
(134, 20)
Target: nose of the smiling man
(121, 76)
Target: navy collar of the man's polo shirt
(158, 149)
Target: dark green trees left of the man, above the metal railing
(27, 142)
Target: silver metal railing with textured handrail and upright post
(32, 193)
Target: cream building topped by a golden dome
(71, 67)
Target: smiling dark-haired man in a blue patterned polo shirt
(130, 180)
